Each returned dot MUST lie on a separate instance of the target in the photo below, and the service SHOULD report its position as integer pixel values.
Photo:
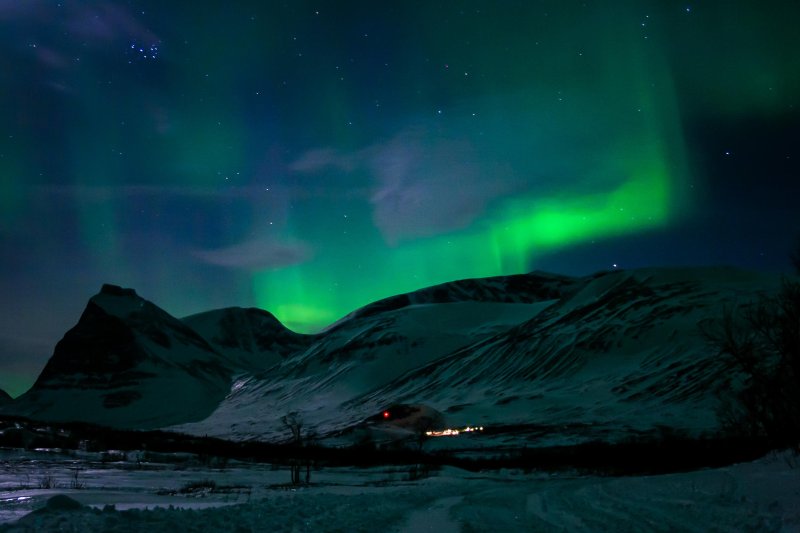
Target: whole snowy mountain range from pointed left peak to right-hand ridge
(560, 358)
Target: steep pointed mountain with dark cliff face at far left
(127, 363)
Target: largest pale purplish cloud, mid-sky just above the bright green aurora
(422, 185)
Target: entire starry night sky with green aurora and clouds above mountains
(311, 157)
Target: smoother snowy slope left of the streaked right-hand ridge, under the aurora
(323, 381)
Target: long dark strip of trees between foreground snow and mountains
(645, 455)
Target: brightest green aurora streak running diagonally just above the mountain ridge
(303, 297)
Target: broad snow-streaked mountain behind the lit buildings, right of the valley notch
(606, 356)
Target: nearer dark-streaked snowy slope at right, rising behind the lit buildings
(622, 355)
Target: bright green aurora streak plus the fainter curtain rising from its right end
(647, 159)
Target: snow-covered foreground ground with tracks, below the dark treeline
(758, 496)
